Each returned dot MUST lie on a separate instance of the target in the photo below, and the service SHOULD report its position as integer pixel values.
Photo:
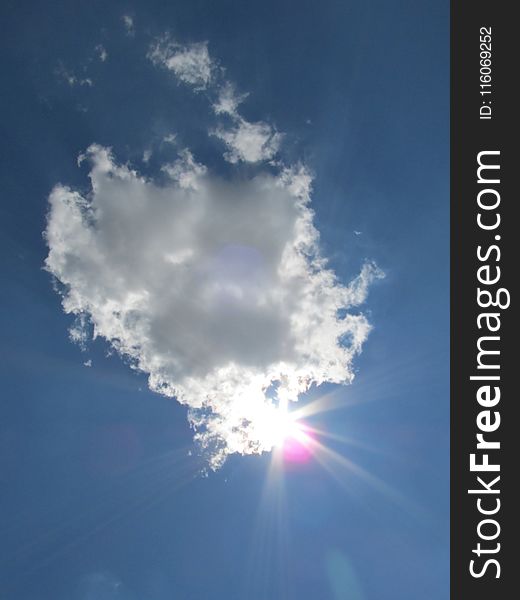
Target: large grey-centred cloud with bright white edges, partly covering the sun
(214, 287)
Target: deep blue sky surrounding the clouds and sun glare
(100, 498)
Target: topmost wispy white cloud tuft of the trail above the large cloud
(190, 63)
